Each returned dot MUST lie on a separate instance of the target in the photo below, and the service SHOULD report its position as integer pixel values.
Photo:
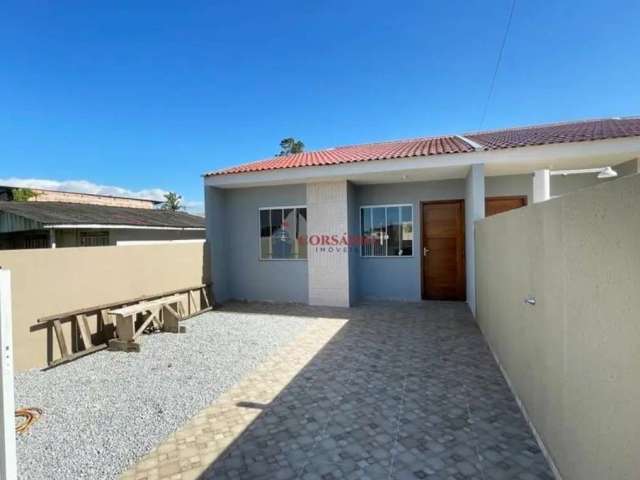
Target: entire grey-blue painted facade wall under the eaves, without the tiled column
(232, 225)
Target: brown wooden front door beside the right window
(443, 263)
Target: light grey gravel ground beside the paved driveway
(105, 411)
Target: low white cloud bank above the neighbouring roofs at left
(85, 186)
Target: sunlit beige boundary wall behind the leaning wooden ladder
(51, 281)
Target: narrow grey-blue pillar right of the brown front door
(474, 210)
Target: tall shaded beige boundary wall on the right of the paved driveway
(573, 359)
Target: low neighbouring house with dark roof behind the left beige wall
(61, 224)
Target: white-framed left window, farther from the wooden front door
(283, 233)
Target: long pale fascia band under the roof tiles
(540, 156)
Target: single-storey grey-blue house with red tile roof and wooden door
(276, 227)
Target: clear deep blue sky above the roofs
(146, 96)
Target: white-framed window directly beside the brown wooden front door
(386, 231)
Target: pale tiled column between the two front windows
(328, 264)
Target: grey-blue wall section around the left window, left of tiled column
(238, 272)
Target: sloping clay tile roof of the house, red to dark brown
(493, 140)
